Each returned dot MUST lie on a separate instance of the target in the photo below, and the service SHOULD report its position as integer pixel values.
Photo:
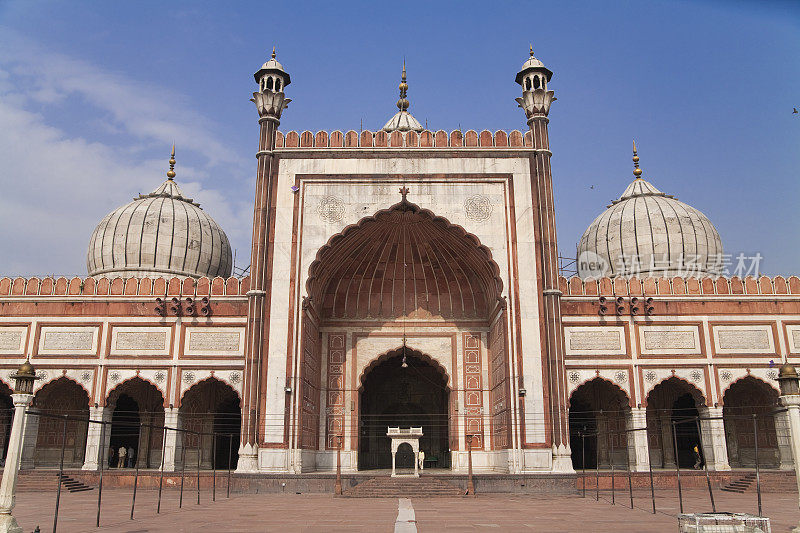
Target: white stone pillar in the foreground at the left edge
(8, 524)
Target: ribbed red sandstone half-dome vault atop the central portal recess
(401, 255)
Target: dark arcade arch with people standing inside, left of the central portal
(137, 422)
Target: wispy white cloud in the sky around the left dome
(58, 180)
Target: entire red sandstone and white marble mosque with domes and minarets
(403, 278)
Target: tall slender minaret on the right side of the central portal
(536, 101)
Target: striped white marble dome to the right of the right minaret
(648, 233)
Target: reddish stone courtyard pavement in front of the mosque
(324, 513)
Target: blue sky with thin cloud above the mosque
(92, 94)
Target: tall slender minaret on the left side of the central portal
(270, 102)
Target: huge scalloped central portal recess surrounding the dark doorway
(402, 274)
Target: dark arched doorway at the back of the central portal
(403, 389)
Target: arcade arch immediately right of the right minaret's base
(598, 414)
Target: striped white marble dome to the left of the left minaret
(158, 235)
